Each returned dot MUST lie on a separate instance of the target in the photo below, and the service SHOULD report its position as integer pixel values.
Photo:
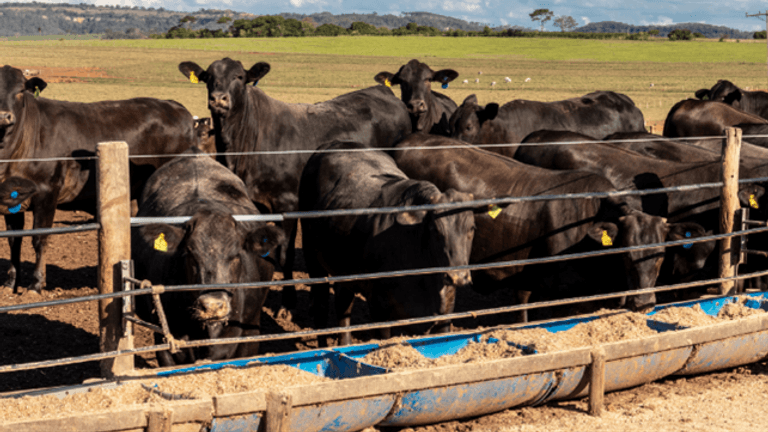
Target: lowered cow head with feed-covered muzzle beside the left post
(212, 248)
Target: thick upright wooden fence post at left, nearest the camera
(113, 195)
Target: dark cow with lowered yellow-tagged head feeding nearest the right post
(543, 228)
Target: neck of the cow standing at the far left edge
(24, 141)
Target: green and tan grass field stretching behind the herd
(315, 69)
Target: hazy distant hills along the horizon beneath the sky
(44, 19)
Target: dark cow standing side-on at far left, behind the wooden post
(35, 127)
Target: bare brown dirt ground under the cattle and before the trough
(732, 400)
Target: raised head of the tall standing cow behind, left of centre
(227, 82)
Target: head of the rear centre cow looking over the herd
(415, 80)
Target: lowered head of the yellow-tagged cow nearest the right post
(643, 266)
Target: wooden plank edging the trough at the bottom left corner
(87, 422)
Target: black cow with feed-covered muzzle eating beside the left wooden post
(211, 248)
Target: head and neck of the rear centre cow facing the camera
(429, 110)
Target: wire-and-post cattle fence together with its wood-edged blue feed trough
(411, 397)
